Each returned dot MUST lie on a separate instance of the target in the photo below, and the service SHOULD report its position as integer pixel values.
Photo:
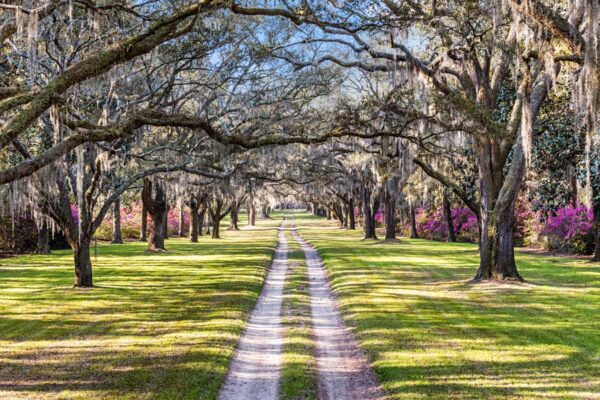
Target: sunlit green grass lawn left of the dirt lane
(157, 326)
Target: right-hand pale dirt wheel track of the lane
(343, 370)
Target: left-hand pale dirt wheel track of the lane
(255, 369)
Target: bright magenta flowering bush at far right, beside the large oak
(570, 229)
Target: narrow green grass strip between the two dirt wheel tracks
(299, 373)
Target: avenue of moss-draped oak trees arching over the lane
(365, 111)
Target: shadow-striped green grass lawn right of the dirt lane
(431, 334)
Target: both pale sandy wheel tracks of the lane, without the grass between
(255, 370)
